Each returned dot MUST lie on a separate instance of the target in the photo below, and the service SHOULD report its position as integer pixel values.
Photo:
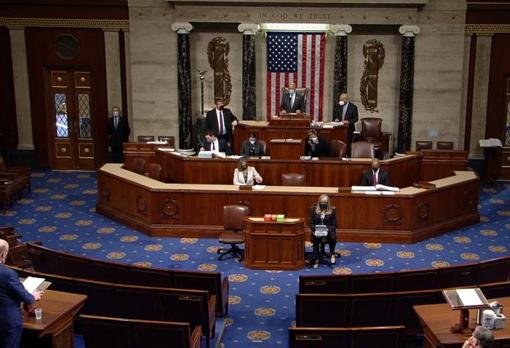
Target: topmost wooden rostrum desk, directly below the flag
(266, 132)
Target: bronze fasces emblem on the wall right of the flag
(373, 51)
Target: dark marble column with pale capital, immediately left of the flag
(249, 31)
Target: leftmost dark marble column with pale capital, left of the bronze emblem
(184, 83)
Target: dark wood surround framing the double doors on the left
(41, 55)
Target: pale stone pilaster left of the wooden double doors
(21, 88)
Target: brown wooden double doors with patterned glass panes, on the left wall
(69, 119)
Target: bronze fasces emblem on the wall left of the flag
(217, 52)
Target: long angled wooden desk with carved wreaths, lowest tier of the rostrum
(186, 210)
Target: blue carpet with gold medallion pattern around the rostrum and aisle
(60, 211)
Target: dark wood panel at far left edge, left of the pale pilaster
(8, 125)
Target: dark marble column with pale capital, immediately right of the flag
(340, 70)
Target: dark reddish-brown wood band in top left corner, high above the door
(93, 9)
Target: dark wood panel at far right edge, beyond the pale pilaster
(496, 108)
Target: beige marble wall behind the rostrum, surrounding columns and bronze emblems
(439, 61)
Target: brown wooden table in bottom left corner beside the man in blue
(59, 311)
